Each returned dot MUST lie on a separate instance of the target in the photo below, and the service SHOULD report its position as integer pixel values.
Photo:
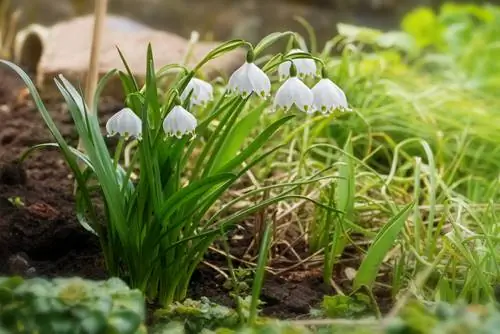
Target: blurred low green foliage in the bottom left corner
(70, 306)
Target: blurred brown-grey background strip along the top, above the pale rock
(223, 19)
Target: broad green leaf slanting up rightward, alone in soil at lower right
(383, 242)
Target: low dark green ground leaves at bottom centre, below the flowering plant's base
(197, 315)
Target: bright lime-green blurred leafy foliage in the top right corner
(467, 32)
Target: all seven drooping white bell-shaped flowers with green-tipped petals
(325, 97)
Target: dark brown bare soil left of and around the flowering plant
(39, 234)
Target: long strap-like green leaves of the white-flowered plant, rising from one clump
(160, 225)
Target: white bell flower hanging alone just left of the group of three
(249, 78)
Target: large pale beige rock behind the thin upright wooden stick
(64, 49)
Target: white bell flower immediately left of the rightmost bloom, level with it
(294, 91)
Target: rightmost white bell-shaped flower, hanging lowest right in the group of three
(328, 97)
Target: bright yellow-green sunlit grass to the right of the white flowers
(425, 129)
